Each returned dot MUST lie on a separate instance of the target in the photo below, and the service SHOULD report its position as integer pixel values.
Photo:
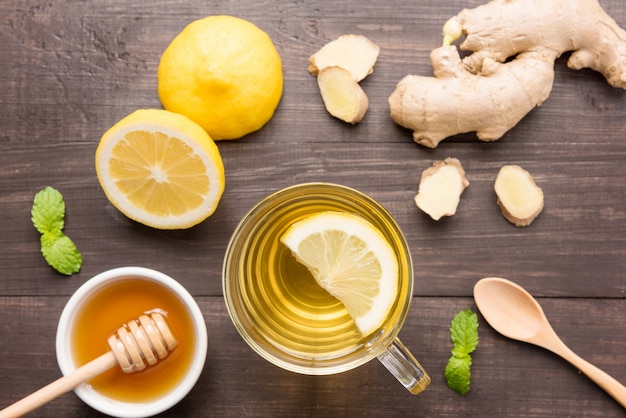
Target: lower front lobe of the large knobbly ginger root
(456, 101)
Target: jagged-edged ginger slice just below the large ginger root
(440, 188)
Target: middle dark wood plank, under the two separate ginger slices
(576, 246)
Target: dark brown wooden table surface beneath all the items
(72, 69)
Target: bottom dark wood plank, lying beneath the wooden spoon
(508, 378)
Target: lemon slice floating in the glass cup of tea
(352, 260)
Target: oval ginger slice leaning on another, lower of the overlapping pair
(342, 95)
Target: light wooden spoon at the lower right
(514, 313)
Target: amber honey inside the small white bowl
(111, 307)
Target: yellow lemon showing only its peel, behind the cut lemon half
(224, 73)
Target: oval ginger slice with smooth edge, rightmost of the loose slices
(519, 197)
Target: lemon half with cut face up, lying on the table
(161, 169)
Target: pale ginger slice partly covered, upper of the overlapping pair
(354, 53)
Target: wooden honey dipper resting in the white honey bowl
(135, 345)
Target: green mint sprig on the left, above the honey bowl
(48, 216)
